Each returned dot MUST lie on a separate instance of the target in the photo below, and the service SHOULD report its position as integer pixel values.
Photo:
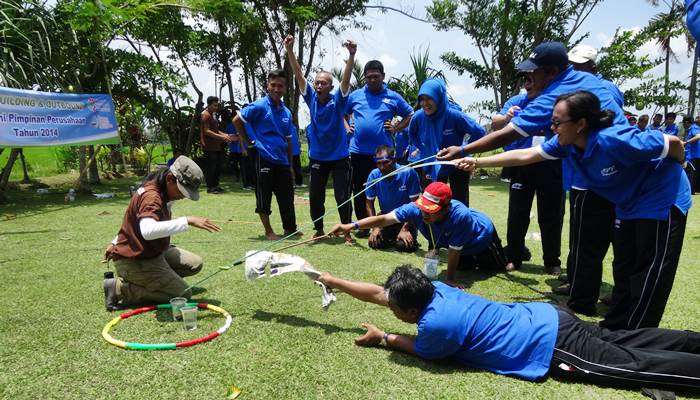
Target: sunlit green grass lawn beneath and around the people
(282, 345)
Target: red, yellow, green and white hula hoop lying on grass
(164, 346)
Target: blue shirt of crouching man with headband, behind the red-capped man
(393, 192)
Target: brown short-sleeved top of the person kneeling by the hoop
(130, 243)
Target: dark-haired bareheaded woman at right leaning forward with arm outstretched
(639, 172)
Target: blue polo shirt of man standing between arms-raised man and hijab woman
(370, 110)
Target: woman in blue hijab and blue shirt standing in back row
(440, 124)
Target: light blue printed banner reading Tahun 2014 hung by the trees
(31, 119)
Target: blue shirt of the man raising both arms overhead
(326, 133)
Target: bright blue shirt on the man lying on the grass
(509, 339)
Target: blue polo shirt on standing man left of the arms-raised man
(271, 126)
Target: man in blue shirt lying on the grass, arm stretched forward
(524, 340)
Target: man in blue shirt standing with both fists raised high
(327, 136)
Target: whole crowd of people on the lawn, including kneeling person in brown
(566, 132)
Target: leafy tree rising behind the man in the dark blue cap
(504, 33)
